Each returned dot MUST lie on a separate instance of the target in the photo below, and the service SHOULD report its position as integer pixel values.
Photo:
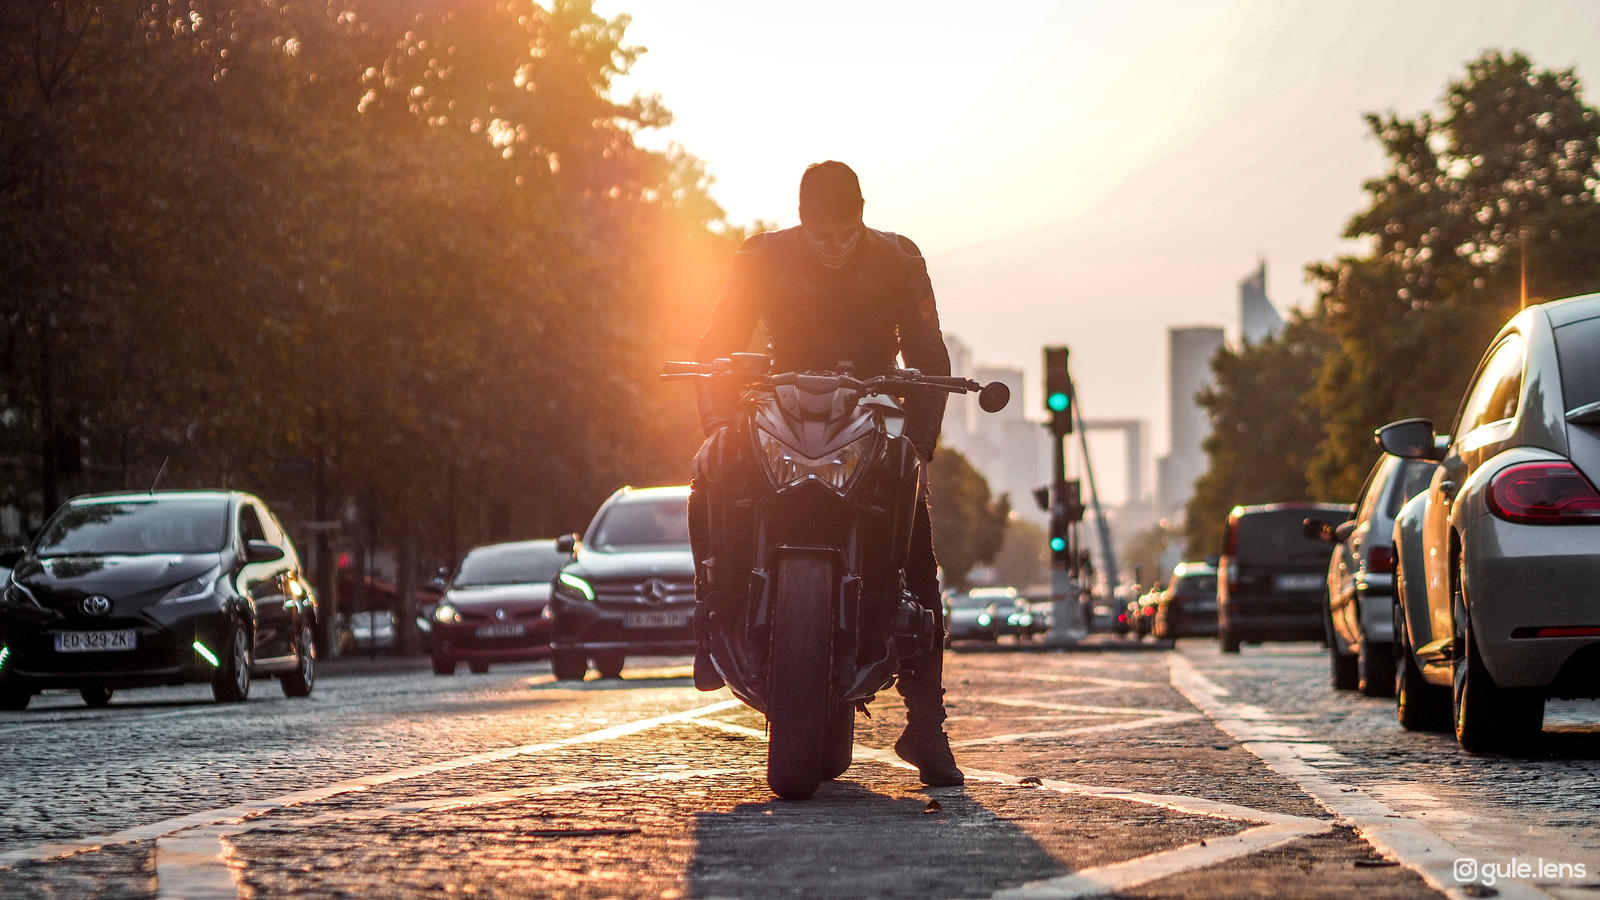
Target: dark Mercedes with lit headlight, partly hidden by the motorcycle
(630, 587)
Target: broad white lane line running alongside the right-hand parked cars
(1396, 837)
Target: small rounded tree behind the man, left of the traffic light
(969, 524)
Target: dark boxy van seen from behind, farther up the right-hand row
(1273, 579)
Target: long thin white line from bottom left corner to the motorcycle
(57, 850)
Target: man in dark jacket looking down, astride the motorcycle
(834, 291)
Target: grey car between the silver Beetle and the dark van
(1359, 617)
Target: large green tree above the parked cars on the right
(1484, 204)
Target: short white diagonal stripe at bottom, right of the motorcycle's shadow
(1154, 867)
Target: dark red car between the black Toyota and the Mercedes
(494, 608)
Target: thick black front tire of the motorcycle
(799, 704)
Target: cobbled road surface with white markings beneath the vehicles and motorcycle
(1130, 771)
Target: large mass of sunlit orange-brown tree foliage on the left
(412, 246)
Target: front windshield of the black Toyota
(130, 528)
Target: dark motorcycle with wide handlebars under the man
(804, 512)
